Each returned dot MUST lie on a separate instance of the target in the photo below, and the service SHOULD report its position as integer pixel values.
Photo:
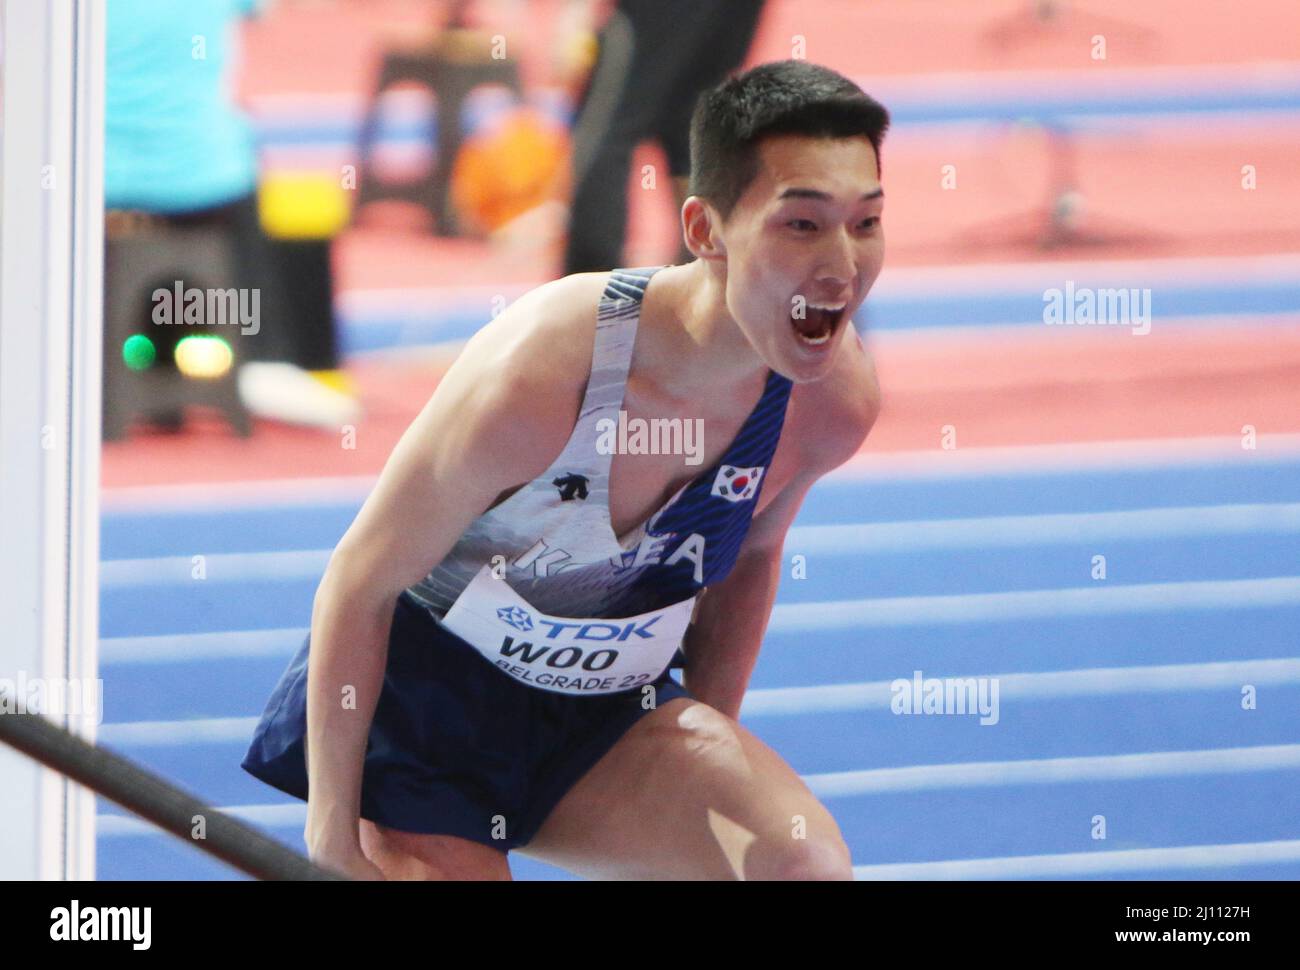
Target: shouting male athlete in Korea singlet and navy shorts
(489, 660)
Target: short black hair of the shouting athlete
(773, 99)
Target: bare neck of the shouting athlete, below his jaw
(701, 349)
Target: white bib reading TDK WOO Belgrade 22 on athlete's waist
(566, 655)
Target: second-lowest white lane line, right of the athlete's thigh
(1039, 772)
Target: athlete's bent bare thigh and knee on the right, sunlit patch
(691, 794)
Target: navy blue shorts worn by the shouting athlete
(457, 746)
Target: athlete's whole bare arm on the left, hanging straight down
(497, 419)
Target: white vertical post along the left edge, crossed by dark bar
(51, 256)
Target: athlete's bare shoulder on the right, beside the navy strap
(835, 415)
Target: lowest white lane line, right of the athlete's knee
(1078, 864)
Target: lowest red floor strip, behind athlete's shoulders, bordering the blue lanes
(1047, 386)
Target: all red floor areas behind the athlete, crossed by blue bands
(1167, 194)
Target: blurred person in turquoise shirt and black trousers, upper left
(180, 154)
